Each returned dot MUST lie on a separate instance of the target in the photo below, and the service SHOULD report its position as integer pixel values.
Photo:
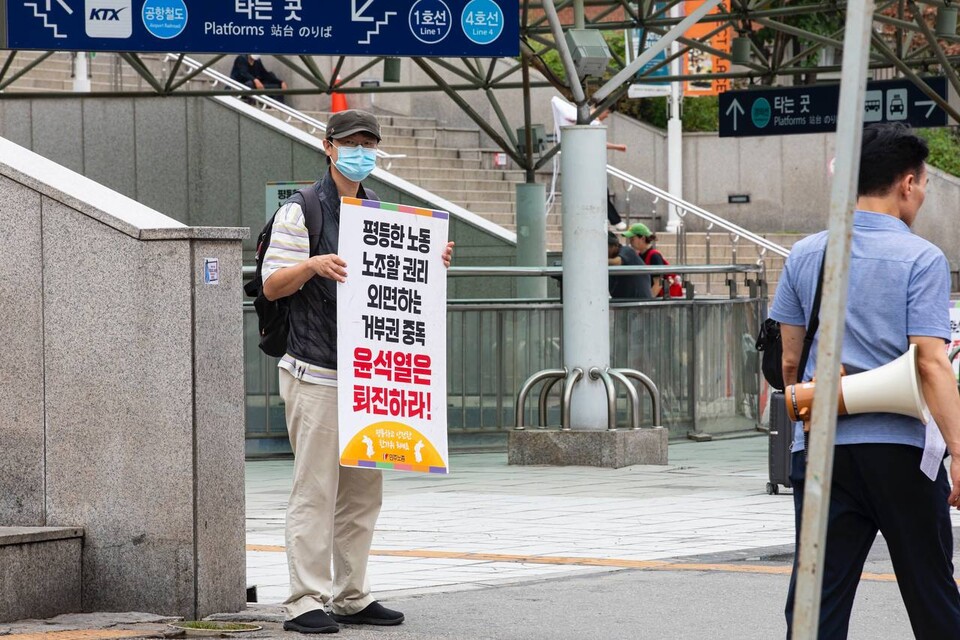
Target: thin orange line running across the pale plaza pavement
(618, 563)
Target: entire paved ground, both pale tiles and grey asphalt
(693, 549)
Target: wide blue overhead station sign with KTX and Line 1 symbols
(441, 28)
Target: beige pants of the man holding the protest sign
(332, 510)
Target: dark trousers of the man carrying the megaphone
(879, 487)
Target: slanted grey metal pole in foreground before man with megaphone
(816, 497)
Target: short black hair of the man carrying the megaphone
(889, 151)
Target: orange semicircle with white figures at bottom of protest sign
(393, 445)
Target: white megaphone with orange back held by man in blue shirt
(892, 388)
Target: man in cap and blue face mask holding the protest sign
(332, 510)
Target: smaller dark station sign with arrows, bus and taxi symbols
(813, 109)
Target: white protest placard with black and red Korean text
(392, 337)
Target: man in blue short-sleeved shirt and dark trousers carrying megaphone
(898, 295)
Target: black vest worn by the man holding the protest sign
(313, 309)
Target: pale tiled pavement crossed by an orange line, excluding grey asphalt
(490, 523)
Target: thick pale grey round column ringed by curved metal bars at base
(586, 308)
